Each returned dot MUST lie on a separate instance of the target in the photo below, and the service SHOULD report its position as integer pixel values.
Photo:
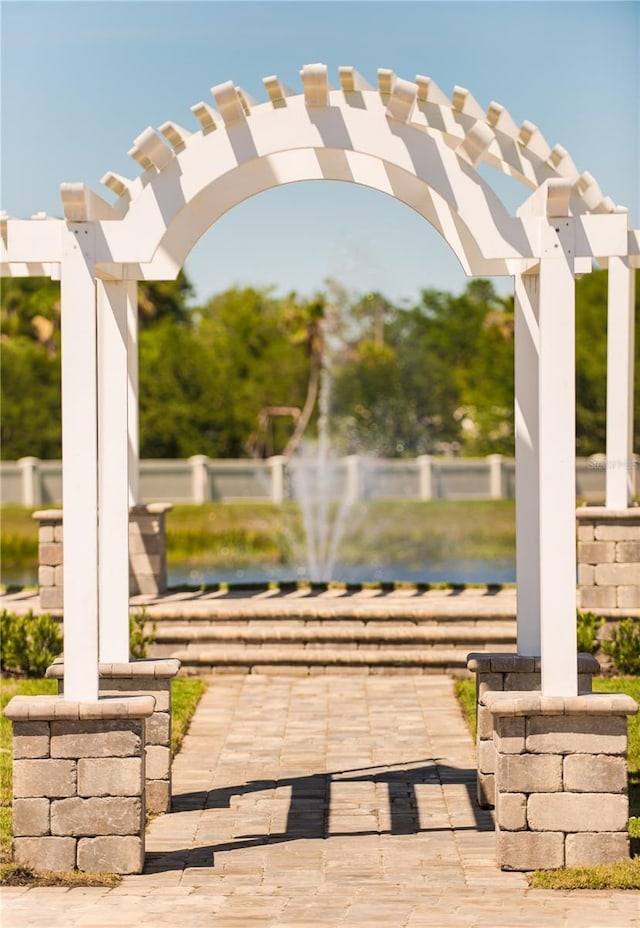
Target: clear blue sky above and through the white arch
(80, 80)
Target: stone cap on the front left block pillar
(49, 708)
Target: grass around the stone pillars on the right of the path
(623, 874)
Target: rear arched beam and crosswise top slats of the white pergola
(520, 152)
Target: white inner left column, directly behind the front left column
(113, 456)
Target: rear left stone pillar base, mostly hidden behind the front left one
(143, 678)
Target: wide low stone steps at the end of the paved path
(311, 641)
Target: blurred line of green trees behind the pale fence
(242, 374)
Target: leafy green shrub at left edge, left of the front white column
(29, 642)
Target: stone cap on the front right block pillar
(532, 703)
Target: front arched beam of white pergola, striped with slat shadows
(226, 167)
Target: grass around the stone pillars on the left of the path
(185, 694)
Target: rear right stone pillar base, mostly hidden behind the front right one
(507, 672)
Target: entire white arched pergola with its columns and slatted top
(410, 141)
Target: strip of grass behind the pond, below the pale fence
(219, 535)
